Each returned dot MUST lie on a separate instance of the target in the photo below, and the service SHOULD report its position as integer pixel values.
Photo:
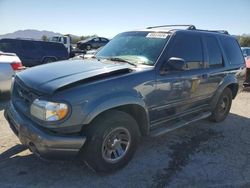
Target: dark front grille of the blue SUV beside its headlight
(22, 96)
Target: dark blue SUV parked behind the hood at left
(33, 52)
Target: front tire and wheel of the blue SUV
(103, 150)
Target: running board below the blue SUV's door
(165, 129)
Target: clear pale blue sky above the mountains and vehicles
(110, 17)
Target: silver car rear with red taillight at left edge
(9, 64)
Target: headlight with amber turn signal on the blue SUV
(48, 111)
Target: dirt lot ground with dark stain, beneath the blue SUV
(201, 155)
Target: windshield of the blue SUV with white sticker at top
(138, 47)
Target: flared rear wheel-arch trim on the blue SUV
(229, 79)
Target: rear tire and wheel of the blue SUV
(222, 107)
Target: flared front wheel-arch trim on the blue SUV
(113, 103)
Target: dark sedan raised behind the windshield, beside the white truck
(92, 43)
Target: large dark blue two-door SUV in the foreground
(142, 83)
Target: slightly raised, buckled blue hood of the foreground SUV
(50, 77)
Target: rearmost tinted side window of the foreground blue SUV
(232, 50)
